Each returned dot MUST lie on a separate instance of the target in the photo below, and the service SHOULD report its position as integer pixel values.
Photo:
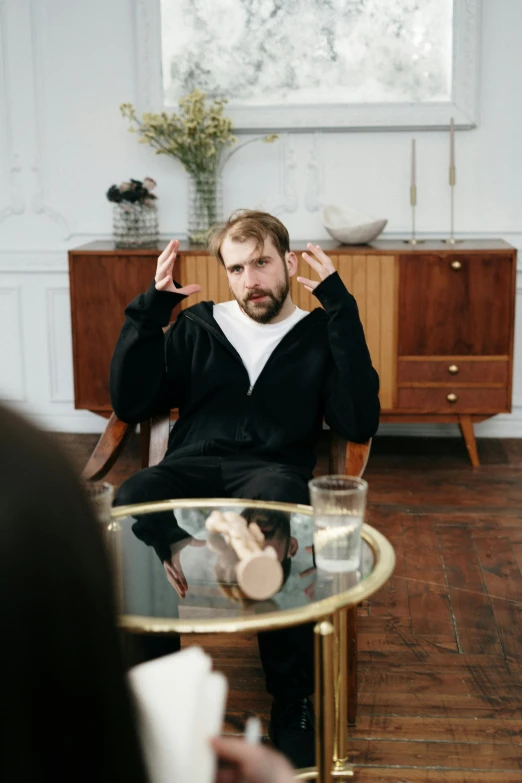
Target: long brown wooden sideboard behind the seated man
(439, 320)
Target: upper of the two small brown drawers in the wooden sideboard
(454, 370)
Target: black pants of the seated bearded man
(286, 654)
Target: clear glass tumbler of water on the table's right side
(339, 506)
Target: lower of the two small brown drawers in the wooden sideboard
(453, 399)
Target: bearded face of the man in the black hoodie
(258, 281)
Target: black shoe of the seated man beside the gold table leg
(292, 730)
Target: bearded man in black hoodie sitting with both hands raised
(253, 379)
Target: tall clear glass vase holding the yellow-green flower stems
(205, 205)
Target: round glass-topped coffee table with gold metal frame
(174, 577)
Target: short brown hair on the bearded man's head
(247, 224)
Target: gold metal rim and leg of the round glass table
(331, 631)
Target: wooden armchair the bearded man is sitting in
(345, 458)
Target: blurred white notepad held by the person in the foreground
(181, 705)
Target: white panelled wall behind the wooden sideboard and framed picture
(66, 65)
